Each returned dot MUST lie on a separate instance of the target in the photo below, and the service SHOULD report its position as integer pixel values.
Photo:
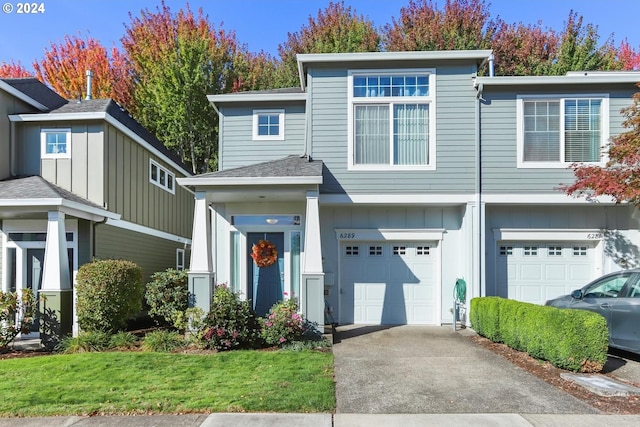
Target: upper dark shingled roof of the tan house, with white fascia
(116, 115)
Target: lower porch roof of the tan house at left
(37, 191)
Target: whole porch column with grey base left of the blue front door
(200, 270)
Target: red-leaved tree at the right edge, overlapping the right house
(620, 177)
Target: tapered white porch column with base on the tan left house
(57, 304)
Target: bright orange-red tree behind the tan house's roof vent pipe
(64, 68)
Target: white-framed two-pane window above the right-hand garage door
(556, 131)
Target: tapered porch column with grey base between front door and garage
(312, 292)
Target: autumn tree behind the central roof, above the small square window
(336, 29)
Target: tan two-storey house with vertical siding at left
(81, 180)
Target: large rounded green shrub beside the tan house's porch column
(109, 292)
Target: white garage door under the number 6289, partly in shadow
(388, 283)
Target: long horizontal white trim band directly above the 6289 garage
(398, 199)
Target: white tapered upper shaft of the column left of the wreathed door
(201, 237)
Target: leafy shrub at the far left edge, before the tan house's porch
(11, 306)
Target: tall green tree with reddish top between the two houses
(176, 60)
